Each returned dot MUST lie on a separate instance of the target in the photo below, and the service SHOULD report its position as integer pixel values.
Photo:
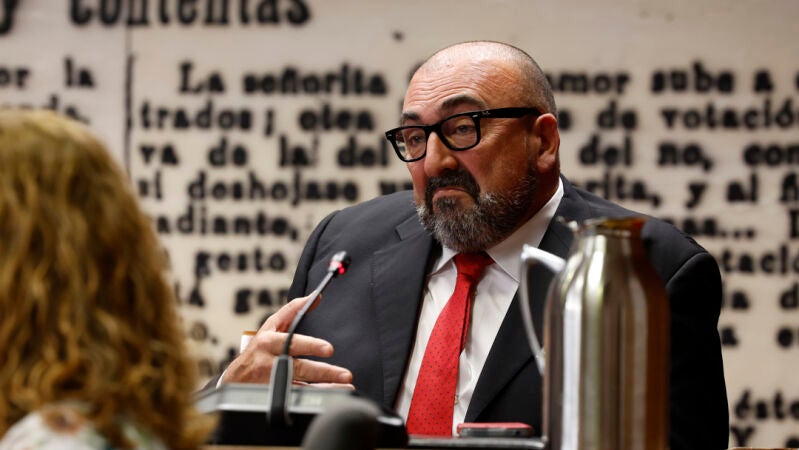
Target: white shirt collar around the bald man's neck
(507, 254)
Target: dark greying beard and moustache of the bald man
(493, 217)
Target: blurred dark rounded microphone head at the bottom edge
(351, 424)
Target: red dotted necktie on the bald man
(434, 395)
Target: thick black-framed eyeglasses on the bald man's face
(457, 132)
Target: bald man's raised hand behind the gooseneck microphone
(254, 364)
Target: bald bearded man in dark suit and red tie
(479, 135)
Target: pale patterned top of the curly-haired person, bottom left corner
(64, 426)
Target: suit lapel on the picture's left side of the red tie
(397, 286)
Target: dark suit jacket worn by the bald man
(370, 314)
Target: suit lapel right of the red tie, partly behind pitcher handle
(510, 352)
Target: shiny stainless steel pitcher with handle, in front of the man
(605, 360)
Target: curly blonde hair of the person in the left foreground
(87, 313)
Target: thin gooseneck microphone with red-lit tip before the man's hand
(282, 370)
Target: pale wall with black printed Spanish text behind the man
(242, 123)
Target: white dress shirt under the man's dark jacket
(493, 296)
